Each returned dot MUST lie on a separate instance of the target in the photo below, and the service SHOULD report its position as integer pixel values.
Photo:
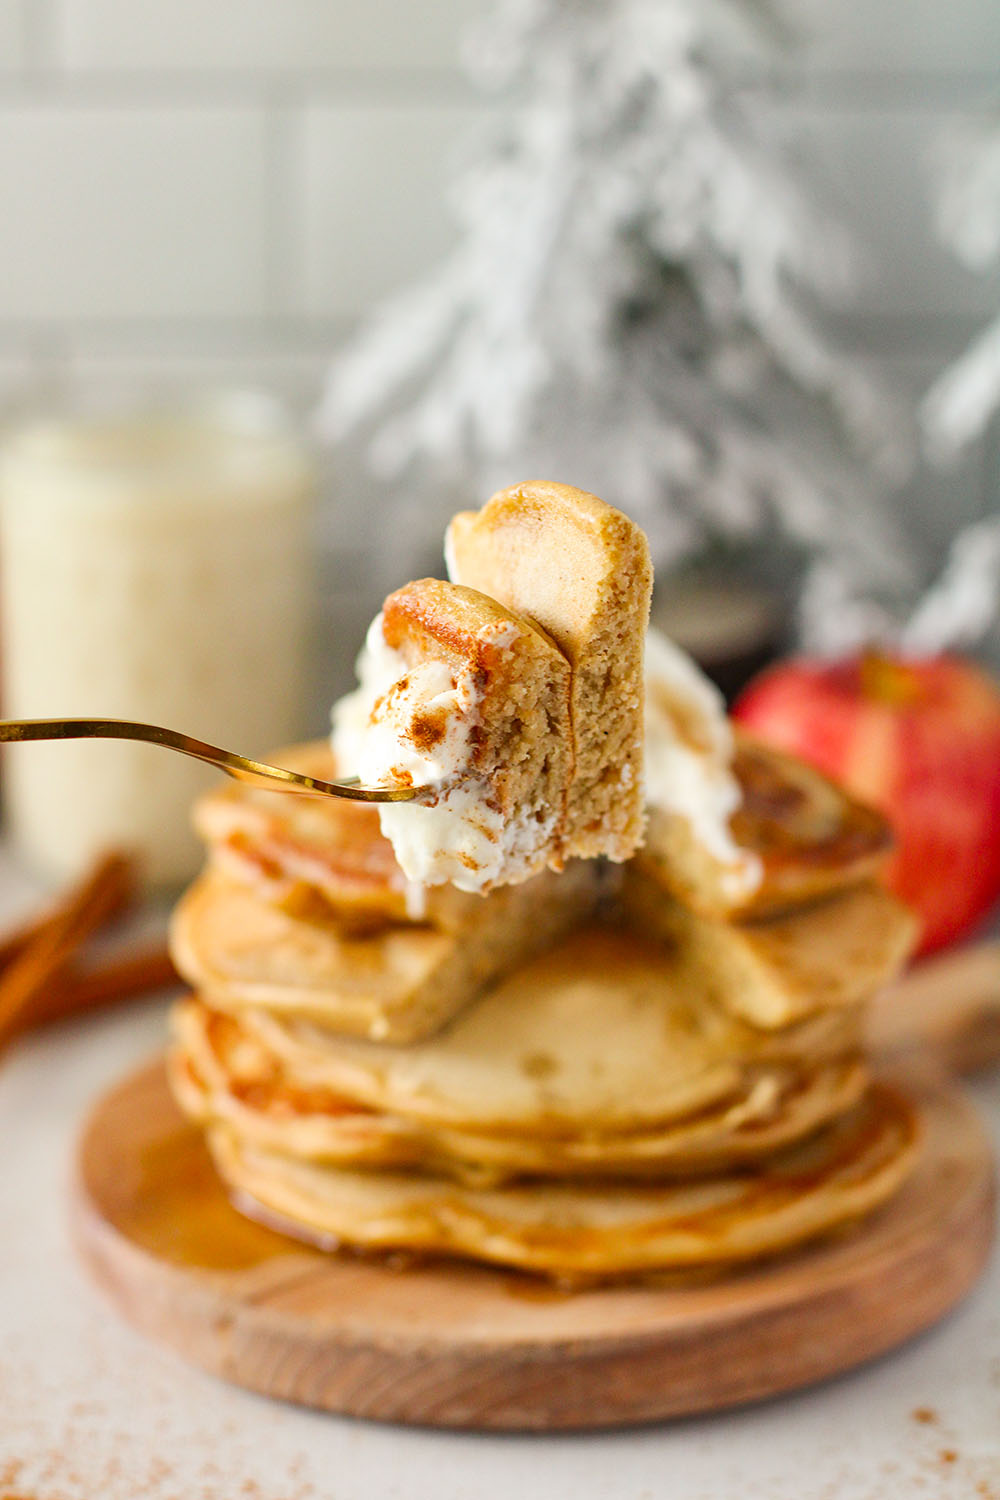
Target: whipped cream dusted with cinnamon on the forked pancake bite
(415, 727)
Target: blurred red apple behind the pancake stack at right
(918, 740)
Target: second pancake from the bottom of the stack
(223, 1075)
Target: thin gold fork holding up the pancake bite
(16, 731)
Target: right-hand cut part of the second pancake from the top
(834, 953)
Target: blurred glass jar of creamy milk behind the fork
(152, 566)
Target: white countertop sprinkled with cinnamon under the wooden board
(89, 1411)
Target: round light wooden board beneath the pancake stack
(469, 1348)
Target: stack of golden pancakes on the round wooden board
(608, 1070)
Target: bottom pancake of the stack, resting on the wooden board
(588, 1229)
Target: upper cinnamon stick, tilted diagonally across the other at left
(101, 896)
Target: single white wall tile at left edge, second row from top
(131, 214)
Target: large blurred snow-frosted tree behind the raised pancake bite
(627, 308)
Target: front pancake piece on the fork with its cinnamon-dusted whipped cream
(472, 701)
